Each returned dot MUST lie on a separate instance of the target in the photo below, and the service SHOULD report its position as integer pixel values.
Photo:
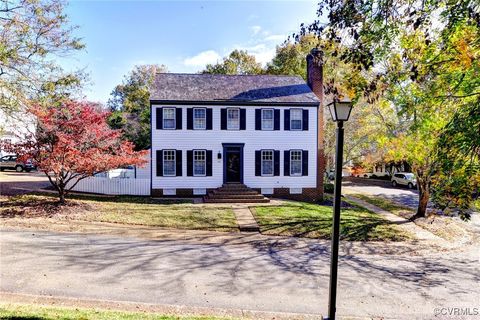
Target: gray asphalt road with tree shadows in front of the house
(259, 273)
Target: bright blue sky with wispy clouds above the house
(182, 35)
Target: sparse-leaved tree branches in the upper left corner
(33, 34)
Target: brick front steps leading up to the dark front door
(234, 193)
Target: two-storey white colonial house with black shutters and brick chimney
(263, 131)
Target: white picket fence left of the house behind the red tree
(114, 186)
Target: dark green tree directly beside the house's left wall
(130, 105)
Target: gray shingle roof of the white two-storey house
(231, 88)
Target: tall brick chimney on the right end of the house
(315, 82)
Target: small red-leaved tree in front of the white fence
(73, 142)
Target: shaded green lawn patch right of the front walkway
(315, 221)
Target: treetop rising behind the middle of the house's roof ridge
(238, 62)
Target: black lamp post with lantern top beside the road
(340, 112)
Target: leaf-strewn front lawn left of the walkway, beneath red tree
(125, 210)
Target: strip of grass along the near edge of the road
(34, 312)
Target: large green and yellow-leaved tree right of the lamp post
(421, 59)
